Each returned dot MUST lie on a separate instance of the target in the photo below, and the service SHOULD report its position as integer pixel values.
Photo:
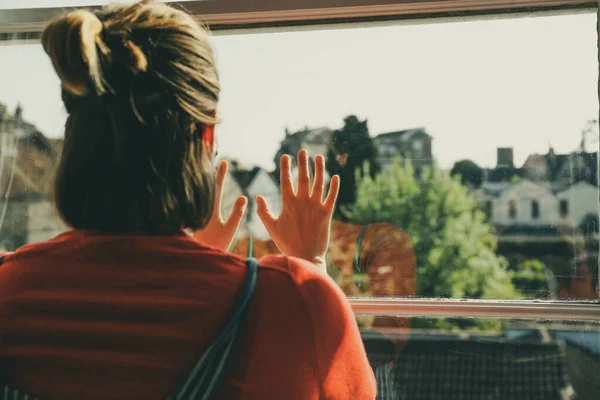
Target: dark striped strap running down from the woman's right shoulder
(208, 374)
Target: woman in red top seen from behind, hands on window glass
(124, 304)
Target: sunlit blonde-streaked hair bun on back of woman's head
(74, 43)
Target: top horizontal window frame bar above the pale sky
(269, 13)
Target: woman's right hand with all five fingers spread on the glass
(302, 229)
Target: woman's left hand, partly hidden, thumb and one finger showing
(219, 233)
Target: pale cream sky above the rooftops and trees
(526, 83)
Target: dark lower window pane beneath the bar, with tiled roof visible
(487, 359)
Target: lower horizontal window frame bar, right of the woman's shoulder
(490, 309)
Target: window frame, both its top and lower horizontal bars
(227, 16)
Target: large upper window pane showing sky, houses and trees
(429, 125)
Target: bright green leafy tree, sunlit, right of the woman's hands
(455, 248)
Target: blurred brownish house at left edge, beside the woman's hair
(27, 164)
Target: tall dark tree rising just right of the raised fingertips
(351, 149)
